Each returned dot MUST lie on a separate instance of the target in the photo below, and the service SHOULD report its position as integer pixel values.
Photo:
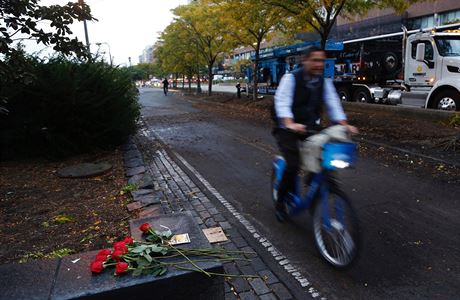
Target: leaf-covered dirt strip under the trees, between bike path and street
(382, 133)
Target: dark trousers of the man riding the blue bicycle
(289, 147)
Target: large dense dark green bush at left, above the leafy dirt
(63, 107)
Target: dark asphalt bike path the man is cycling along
(411, 225)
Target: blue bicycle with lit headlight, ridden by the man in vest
(335, 226)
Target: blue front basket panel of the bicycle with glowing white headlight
(339, 155)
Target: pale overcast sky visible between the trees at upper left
(128, 26)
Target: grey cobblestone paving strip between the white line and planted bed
(165, 188)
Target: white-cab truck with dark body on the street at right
(402, 68)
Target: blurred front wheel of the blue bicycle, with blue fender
(336, 229)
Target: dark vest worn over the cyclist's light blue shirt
(308, 100)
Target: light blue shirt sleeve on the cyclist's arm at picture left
(284, 97)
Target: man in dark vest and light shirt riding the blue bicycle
(299, 101)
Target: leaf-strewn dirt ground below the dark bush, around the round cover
(44, 216)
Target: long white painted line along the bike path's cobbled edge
(278, 256)
